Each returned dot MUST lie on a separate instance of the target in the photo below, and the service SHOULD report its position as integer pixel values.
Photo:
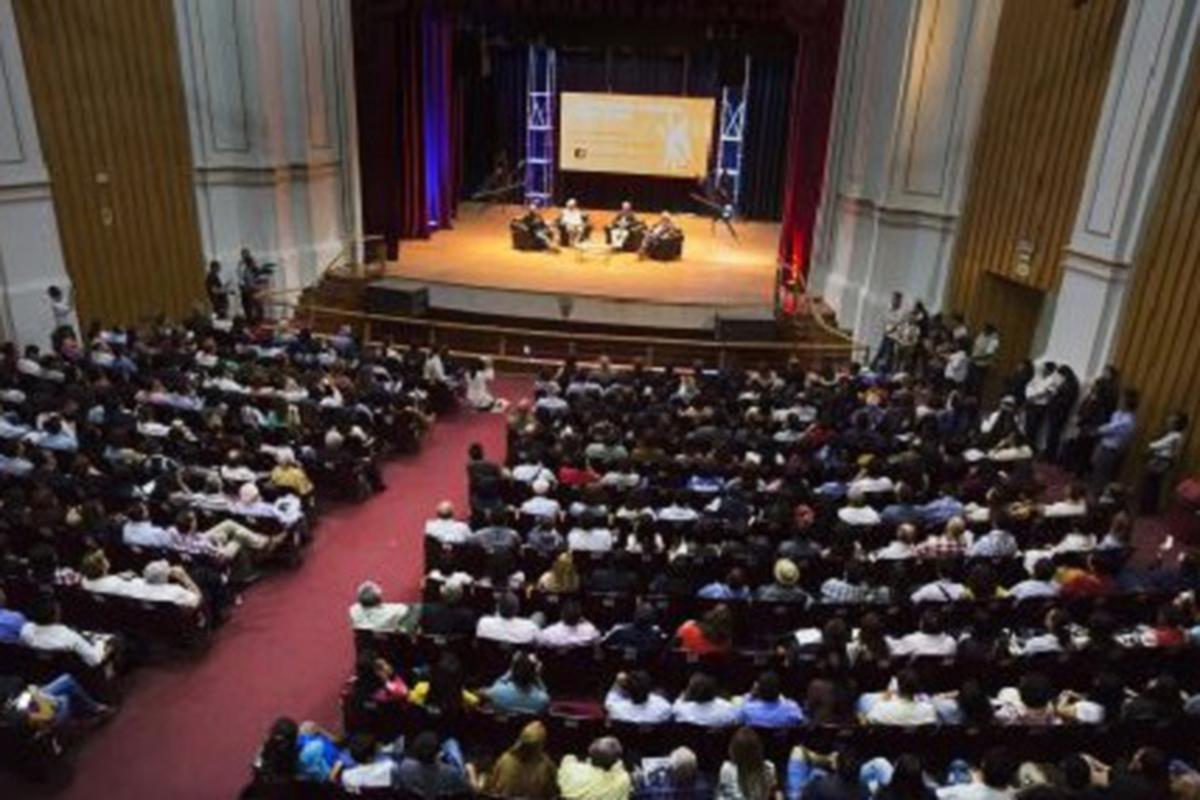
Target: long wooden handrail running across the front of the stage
(603, 339)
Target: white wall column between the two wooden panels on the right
(1150, 71)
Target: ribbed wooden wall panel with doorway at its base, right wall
(1047, 85)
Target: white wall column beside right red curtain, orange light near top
(910, 88)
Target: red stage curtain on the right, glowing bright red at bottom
(808, 136)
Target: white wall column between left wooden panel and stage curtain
(271, 111)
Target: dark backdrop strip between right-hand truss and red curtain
(764, 154)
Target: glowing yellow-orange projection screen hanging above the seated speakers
(637, 135)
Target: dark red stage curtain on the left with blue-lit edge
(407, 118)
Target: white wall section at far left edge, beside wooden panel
(31, 250)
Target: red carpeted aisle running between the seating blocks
(188, 730)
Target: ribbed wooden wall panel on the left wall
(109, 97)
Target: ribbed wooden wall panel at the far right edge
(1157, 346)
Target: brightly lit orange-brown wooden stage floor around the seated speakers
(715, 269)
